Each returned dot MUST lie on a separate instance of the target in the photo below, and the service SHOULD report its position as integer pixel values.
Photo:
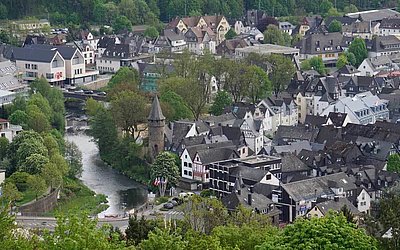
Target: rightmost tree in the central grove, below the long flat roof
(282, 71)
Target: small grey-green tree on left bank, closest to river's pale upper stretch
(74, 159)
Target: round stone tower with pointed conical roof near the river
(156, 122)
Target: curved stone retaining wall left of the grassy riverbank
(40, 206)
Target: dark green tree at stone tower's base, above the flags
(165, 167)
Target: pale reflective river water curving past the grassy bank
(122, 193)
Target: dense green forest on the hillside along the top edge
(150, 11)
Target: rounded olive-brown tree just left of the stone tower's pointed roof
(129, 110)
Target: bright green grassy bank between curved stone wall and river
(76, 198)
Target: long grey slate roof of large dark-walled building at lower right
(318, 186)
